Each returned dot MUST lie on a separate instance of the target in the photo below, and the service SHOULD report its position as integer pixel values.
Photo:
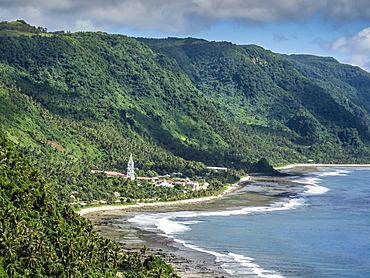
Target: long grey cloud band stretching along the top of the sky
(176, 16)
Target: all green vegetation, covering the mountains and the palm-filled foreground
(78, 102)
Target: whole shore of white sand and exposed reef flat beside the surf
(112, 222)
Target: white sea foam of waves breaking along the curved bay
(171, 224)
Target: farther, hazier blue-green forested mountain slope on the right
(257, 87)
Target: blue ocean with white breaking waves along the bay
(317, 228)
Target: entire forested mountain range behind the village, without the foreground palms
(73, 102)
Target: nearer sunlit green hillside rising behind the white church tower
(77, 102)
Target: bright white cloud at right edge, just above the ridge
(357, 47)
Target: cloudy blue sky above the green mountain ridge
(330, 28)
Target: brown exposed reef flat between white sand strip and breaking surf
(187, 262)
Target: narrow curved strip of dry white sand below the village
(230, 189)
